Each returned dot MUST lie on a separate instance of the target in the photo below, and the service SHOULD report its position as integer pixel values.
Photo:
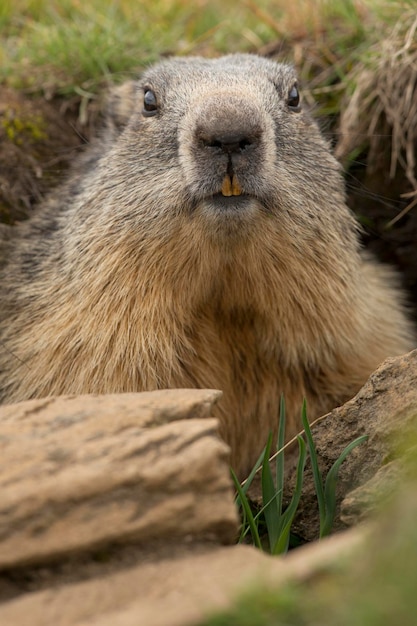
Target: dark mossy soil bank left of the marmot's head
(39, 139)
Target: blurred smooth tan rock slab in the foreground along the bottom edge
(175, 591)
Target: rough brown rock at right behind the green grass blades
(385, 409)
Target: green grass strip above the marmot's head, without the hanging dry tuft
(68, 46)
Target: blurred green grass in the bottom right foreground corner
(374, 586)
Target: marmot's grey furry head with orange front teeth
(227, 145)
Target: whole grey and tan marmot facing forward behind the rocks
(203, 241)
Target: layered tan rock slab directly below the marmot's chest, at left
(81, 473)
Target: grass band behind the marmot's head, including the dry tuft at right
(342, 49)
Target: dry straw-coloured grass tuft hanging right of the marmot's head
(379, 111)
